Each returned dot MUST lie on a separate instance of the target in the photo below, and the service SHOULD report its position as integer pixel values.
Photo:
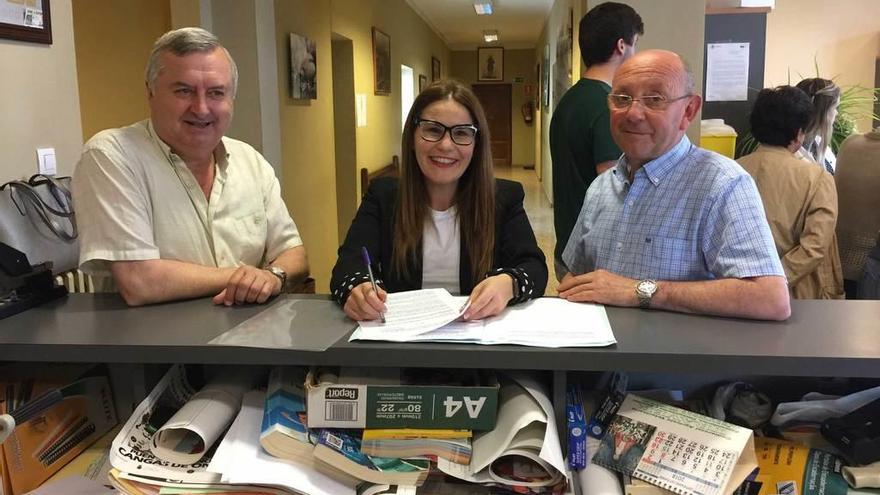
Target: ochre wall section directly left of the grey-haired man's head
(111, 52)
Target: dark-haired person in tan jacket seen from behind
(799, 198)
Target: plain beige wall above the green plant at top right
(842, 38)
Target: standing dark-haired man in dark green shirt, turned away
(581, 147)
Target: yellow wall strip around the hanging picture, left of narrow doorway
(308, 182)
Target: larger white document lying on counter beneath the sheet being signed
(542, 322)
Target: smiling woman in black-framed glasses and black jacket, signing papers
(447, 222)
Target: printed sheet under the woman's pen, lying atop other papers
(411, 313)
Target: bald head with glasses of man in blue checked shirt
(661, 90)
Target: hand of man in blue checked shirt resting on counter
(600, 286)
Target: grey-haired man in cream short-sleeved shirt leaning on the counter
(169, 208)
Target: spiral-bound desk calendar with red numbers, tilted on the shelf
(678, 450)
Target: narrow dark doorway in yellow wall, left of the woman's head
(342, 54)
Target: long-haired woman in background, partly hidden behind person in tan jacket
(825, 97)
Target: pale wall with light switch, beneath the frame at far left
(39, 100)
